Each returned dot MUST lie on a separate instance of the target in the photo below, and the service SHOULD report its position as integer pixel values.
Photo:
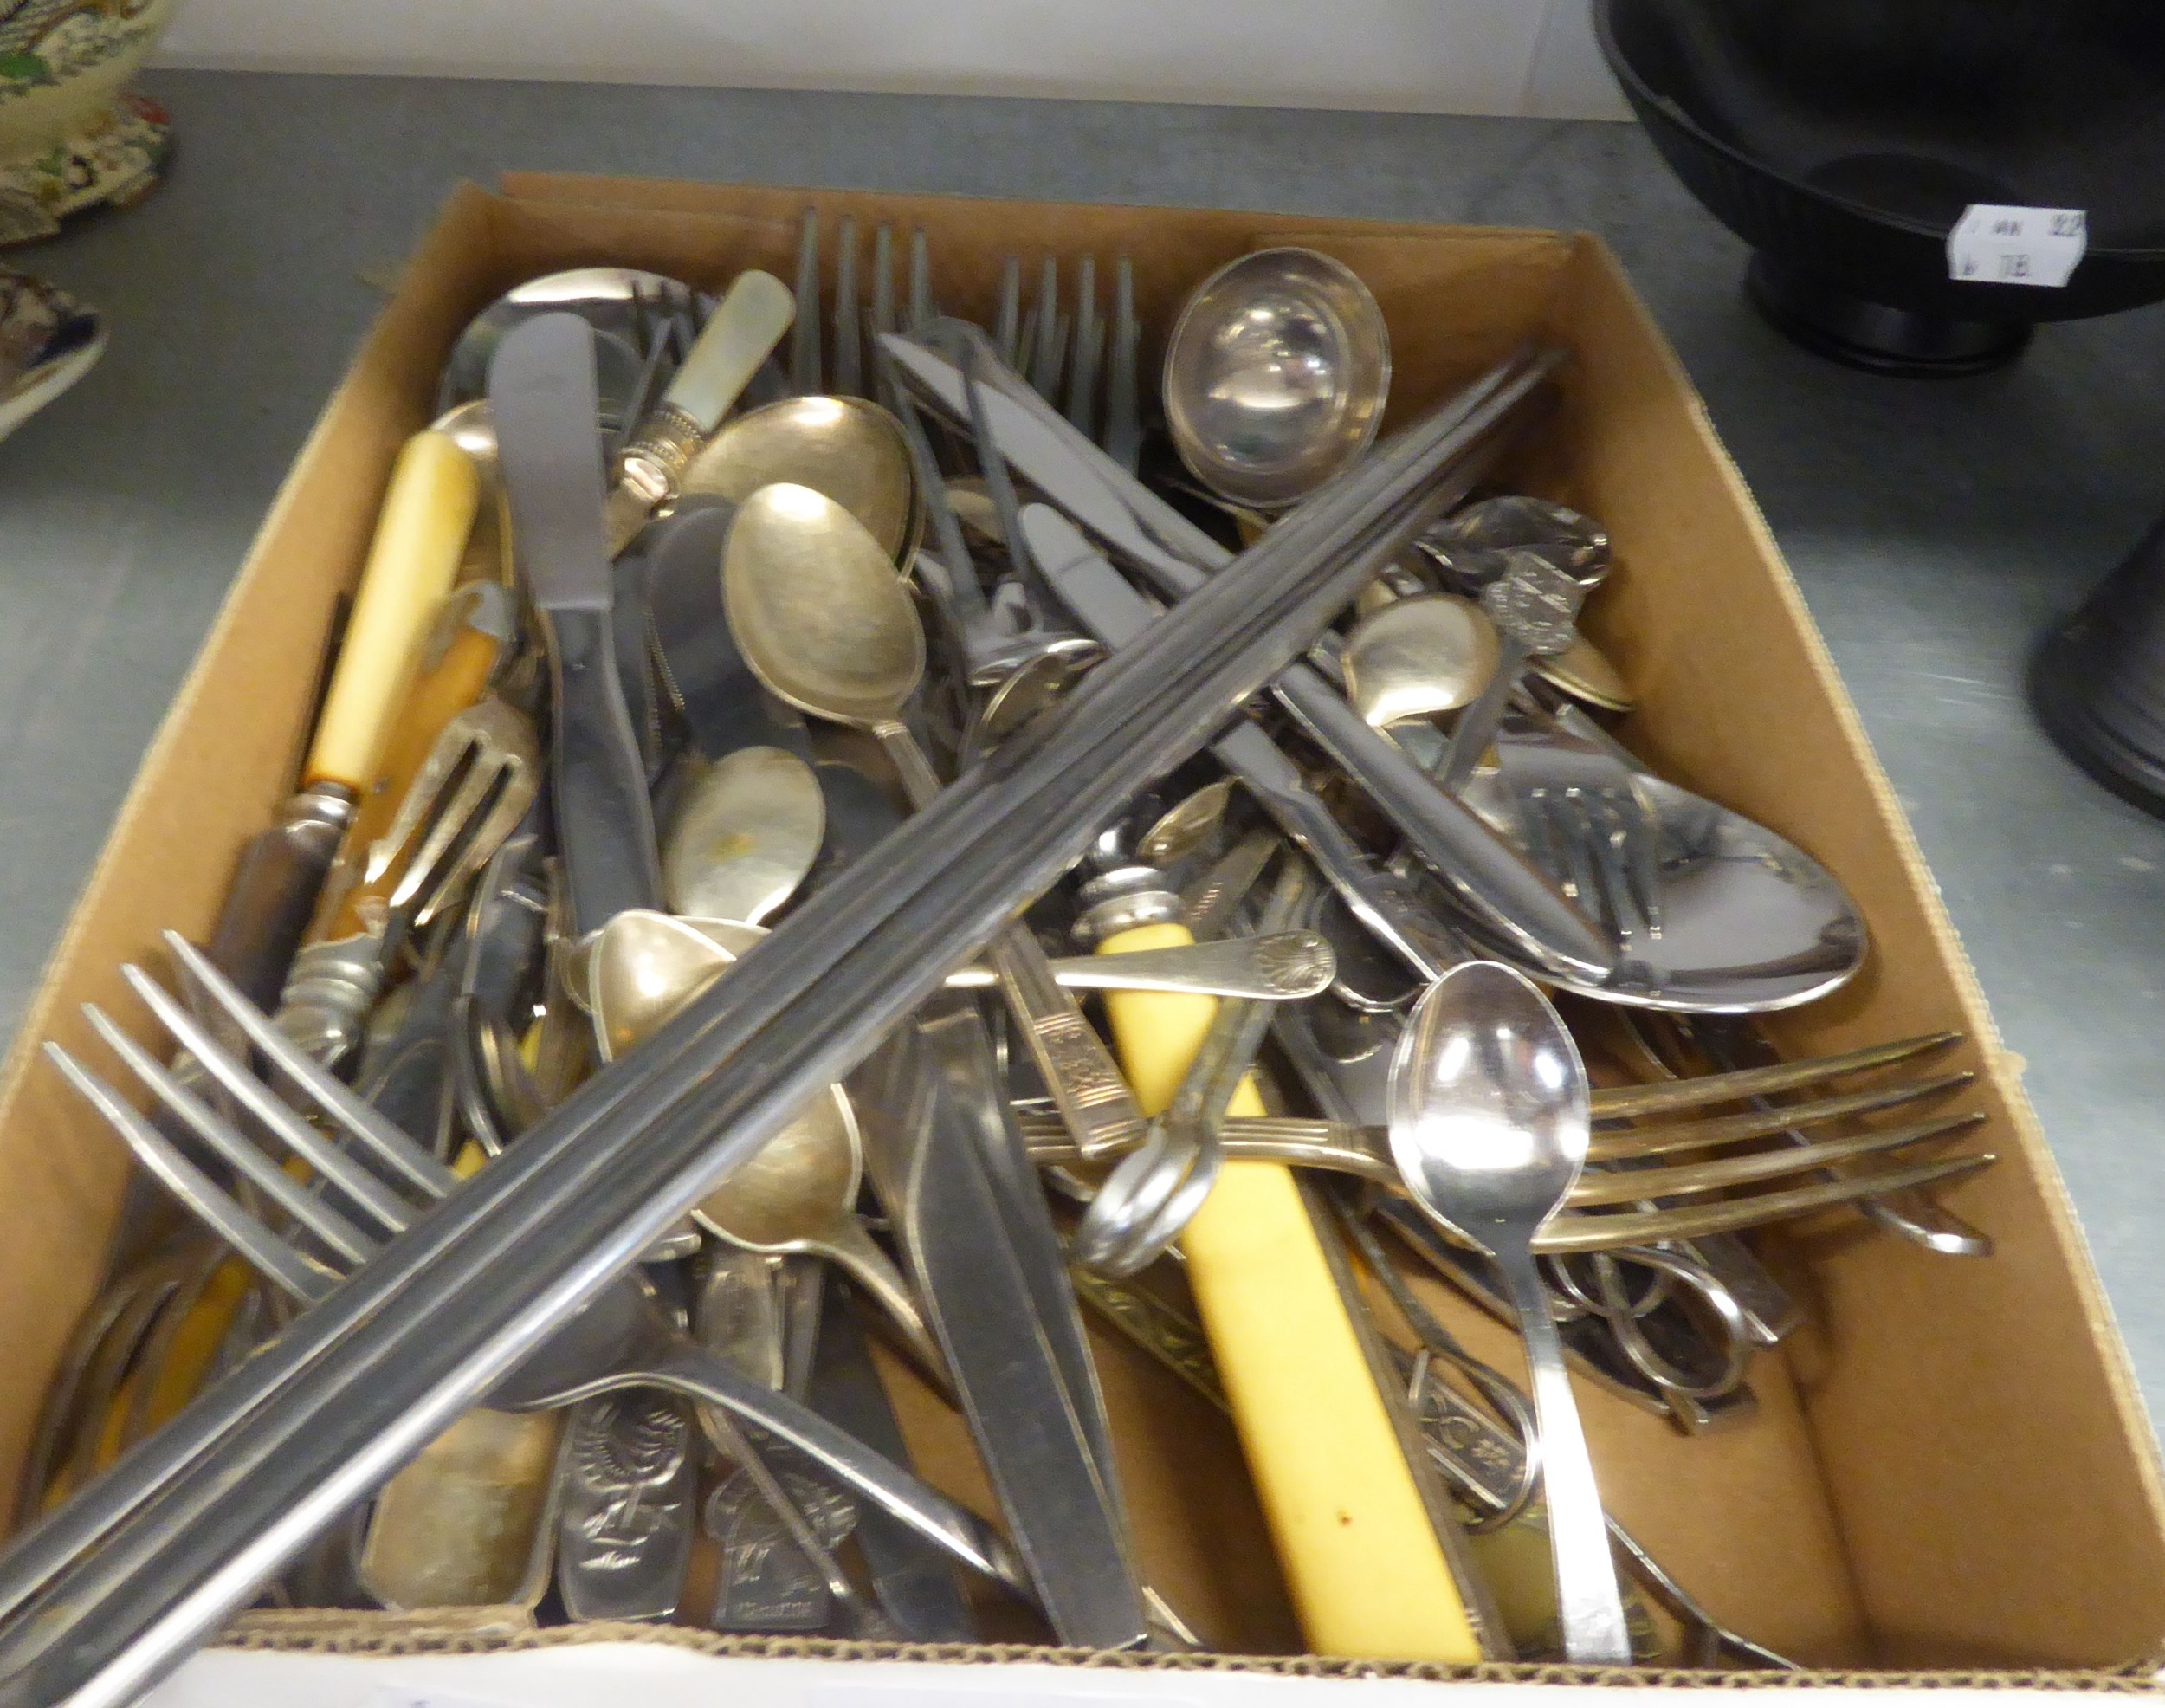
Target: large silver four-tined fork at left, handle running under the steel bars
(384, 1181)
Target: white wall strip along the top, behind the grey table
(1534, 57)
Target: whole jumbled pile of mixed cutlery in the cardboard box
(852, 850)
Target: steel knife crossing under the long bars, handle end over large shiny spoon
(1484, 871)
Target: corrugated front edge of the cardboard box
(380, 1642)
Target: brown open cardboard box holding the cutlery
(1947, 1471)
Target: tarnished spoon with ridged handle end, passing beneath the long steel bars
(828, 627)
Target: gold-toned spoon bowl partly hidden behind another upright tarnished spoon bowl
(848, 449)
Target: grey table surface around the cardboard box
(1937, 529)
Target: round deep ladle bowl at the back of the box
(1276, 376)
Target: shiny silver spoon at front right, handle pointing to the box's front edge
(1491, 1129)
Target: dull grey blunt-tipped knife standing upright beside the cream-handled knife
(542, 389)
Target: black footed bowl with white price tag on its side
(1846, 137)
